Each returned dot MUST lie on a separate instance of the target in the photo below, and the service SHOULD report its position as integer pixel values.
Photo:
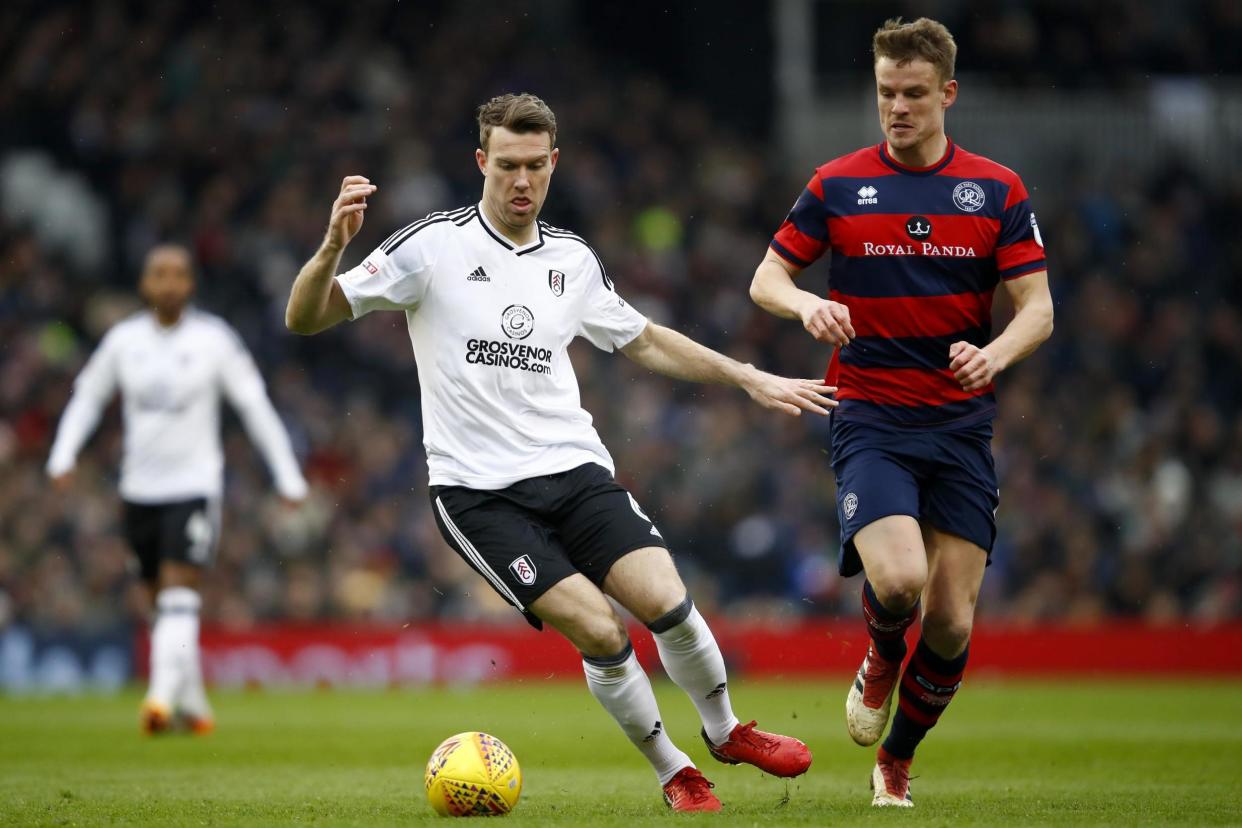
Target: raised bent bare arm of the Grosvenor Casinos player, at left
(316, 301)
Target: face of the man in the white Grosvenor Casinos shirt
(517, 169)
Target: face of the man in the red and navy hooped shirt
(912, 101)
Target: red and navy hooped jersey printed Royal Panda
(917, 255)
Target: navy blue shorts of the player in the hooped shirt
(942, 479)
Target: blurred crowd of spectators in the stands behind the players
(1120, 444)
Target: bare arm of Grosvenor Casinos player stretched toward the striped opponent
(668, 352)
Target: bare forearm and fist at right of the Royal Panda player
(974, 367)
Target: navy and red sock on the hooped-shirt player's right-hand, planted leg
(927, 688)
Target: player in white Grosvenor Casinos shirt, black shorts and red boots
(521, 485)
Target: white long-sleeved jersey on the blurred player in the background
(171, 383)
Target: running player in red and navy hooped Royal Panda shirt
(921, 234)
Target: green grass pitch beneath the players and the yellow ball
(1007, 754)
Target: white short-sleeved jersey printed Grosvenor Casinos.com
(491, 326)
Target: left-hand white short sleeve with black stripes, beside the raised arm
(394, 276)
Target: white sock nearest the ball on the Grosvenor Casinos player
(623, 687)
